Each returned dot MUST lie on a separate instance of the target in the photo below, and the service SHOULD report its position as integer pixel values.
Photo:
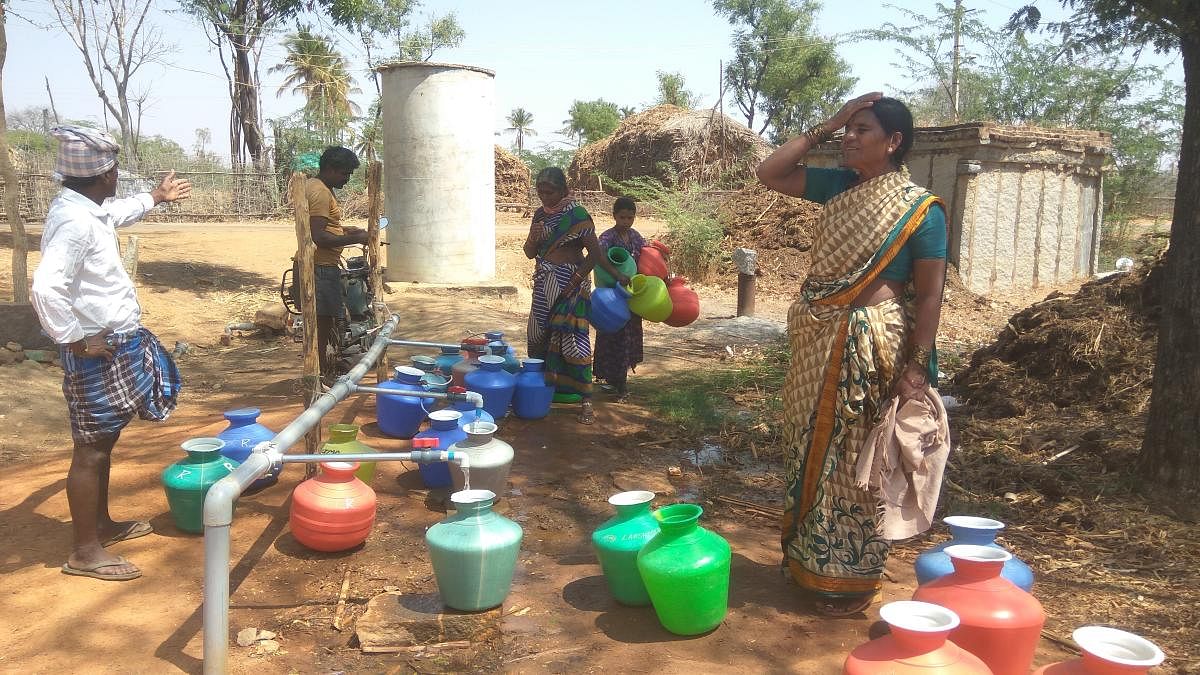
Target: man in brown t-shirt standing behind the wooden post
(328, 234)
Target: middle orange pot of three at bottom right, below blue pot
(999, 623)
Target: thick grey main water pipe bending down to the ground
(220, 499)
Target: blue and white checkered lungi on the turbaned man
(103, 397)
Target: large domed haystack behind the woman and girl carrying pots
(674, 146)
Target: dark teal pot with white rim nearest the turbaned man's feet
(189, 480)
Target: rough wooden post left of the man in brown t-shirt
(305, 250)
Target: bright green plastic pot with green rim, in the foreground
(687, 572)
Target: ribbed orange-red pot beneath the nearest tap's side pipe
(333, 511)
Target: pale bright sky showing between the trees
(545, 56)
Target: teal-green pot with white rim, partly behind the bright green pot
(620, 540)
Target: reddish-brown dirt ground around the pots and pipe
(194, 280)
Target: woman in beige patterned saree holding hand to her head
(861, 333)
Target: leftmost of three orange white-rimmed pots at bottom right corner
(917, 646)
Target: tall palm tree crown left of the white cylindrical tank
(321, 75)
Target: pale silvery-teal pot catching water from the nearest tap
(475, 553)
